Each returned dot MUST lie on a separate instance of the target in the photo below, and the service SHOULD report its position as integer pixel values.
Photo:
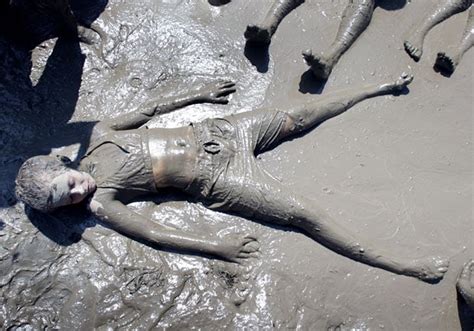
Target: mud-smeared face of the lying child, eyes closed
(70, 188)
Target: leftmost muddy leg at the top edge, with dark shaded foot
(262, 33)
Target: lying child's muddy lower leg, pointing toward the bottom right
(262, 198)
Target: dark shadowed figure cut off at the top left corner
(34, 21)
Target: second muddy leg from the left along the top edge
(355, 20)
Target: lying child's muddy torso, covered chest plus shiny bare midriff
(142, 160)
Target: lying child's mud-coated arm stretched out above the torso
(216, 92)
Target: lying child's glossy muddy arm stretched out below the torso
(114, 214)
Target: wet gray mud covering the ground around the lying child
(396, 170)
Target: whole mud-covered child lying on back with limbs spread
(213, 161)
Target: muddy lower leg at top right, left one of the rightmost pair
(447, 8)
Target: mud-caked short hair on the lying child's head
(33, 182)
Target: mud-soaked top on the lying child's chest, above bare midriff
(121, 160)
